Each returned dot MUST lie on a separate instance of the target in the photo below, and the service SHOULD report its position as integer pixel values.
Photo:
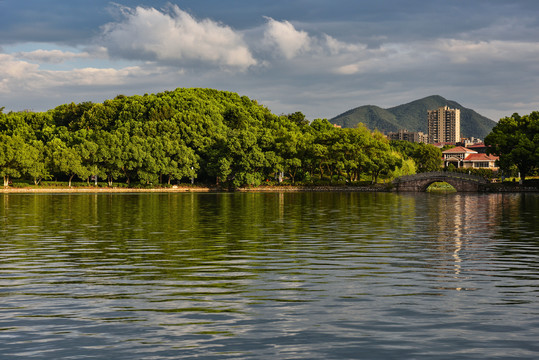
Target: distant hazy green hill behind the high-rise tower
(413, 117)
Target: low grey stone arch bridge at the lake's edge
(461, 182)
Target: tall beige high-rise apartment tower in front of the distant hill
(444, 125)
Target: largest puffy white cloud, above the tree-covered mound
(174, 36)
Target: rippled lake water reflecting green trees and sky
(269, 276)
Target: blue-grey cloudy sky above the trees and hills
(315, 56)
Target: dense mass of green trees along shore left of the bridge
(202, 136)
